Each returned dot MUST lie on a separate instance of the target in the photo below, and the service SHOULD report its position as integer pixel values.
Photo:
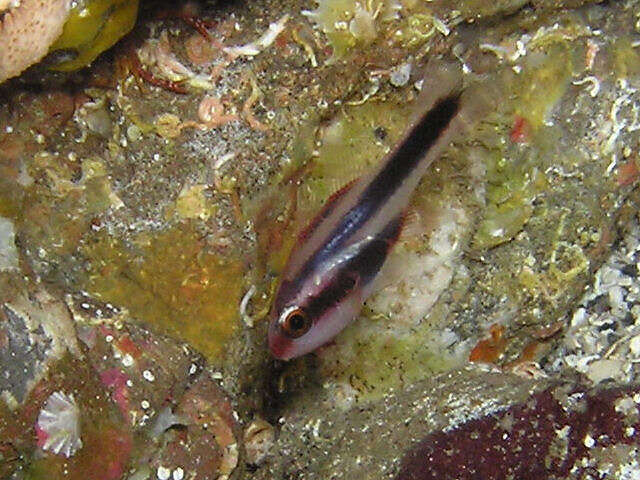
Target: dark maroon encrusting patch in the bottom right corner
(548, 437)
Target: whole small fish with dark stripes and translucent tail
(339, 255)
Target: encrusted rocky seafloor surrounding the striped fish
(148, 204)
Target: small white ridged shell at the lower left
(58, 425)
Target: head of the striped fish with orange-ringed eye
(300, 323)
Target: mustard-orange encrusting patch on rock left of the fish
(170, 280)
